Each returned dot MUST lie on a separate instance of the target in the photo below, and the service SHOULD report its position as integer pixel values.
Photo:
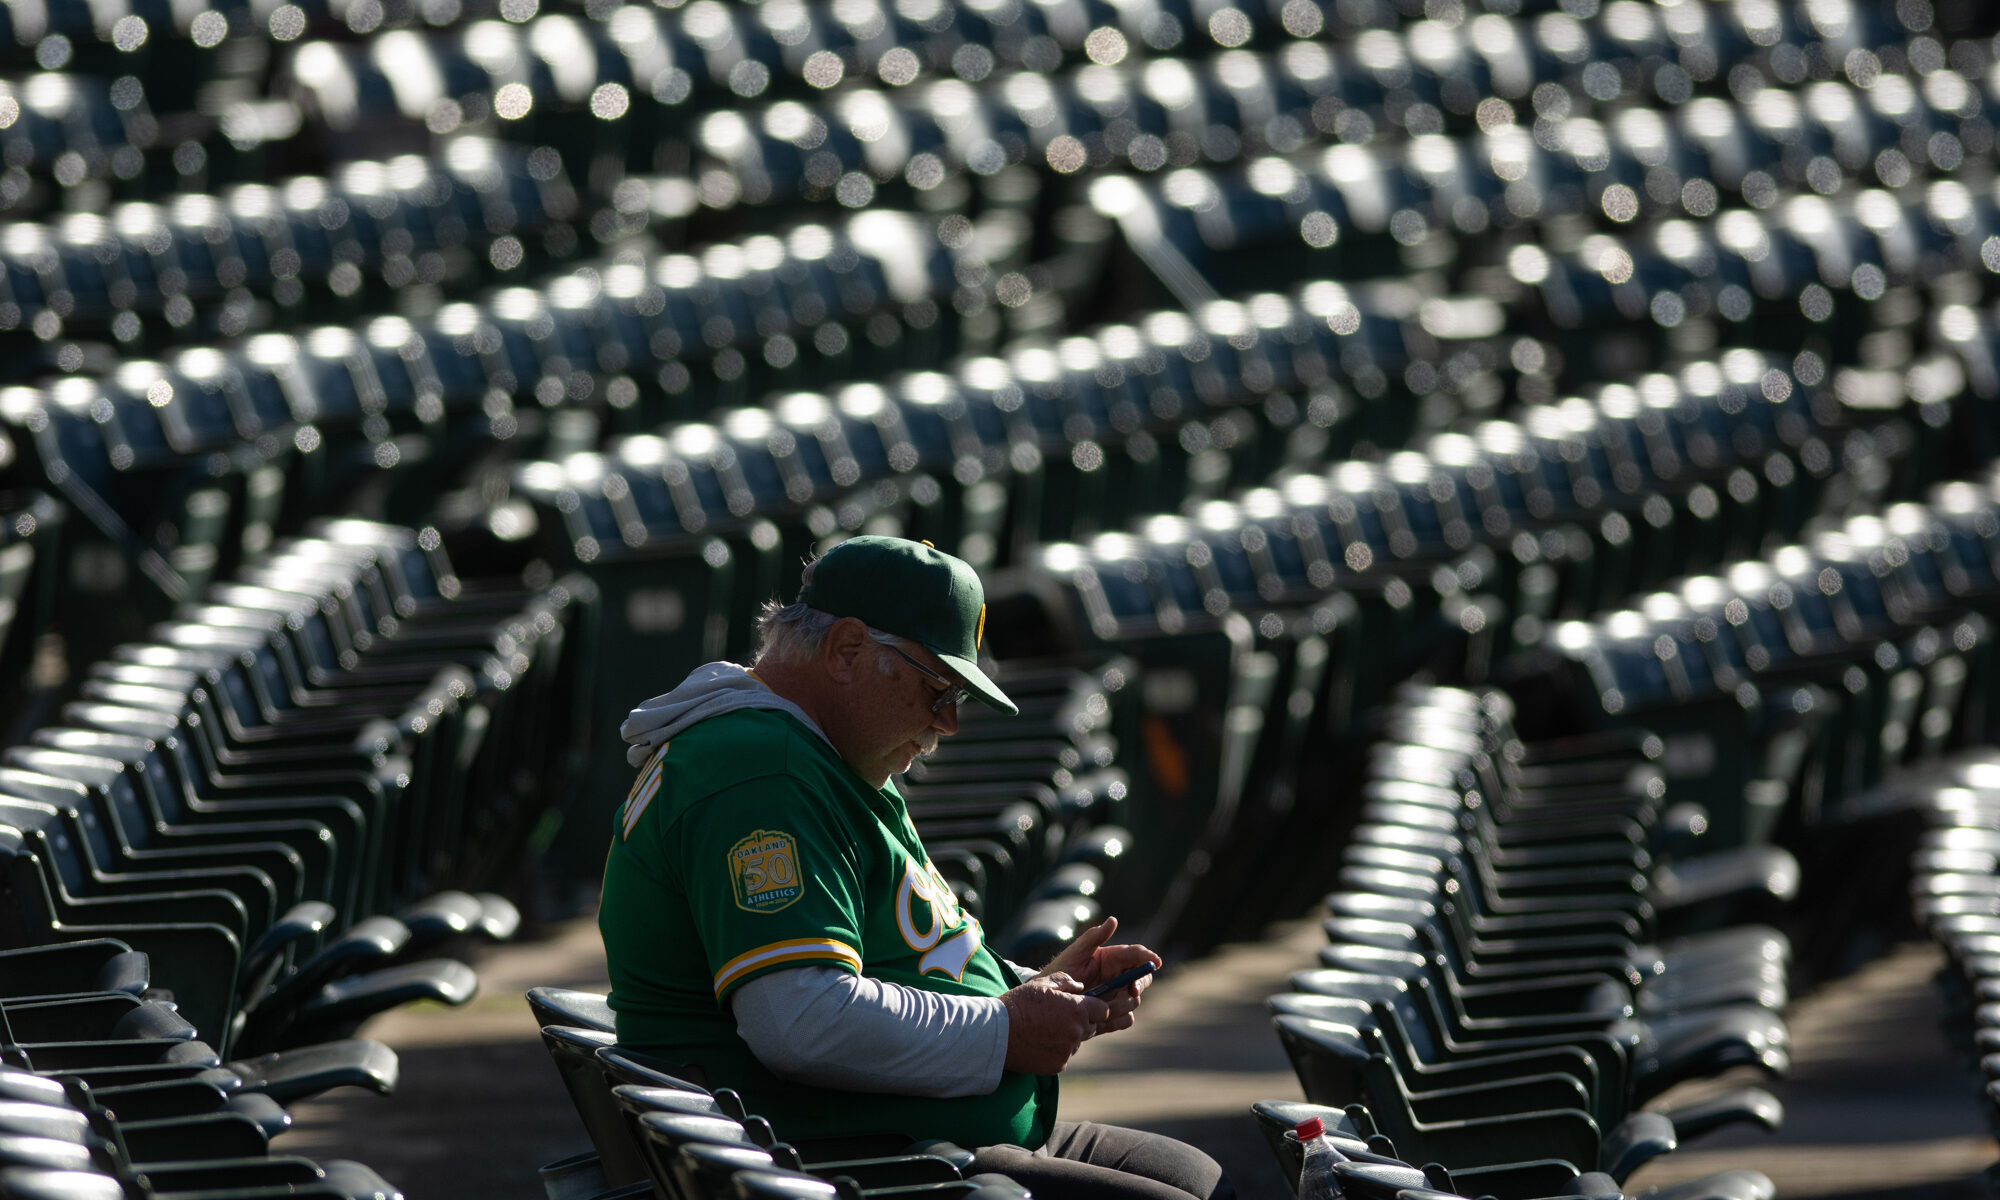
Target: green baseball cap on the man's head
(913, 591)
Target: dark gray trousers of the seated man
(1087, 1161)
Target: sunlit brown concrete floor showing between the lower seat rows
(1877, 1105)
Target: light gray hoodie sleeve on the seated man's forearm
(825, 1027)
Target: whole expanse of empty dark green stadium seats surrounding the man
(1509, 479)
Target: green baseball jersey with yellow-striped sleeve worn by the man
(749, 847)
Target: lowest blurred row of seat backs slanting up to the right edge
(1819, 685)
